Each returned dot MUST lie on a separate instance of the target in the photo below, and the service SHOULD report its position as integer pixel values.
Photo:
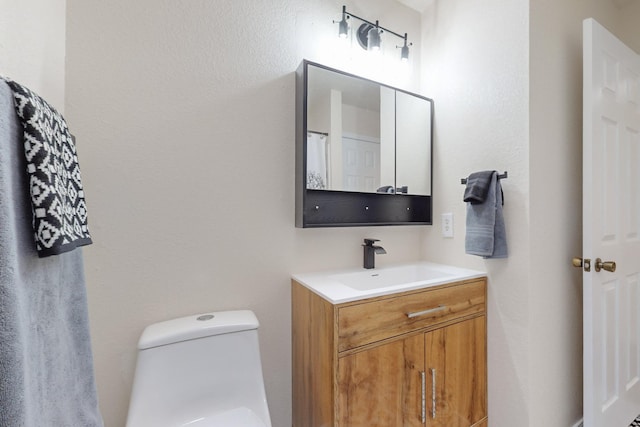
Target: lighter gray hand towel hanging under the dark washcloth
(486, 233)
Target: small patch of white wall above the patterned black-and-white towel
(32, 46)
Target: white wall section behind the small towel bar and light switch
(476, 69)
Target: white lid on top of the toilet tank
(197, 326)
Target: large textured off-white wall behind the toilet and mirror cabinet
(184, 112)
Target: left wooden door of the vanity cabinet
(382, 386)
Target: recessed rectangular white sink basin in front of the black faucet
(392, 276)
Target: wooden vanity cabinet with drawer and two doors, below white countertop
(416, 358)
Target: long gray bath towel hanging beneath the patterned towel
(46, 365)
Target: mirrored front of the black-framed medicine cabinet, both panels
(366, 137)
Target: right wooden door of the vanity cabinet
(456, 371)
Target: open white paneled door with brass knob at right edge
(611, 229)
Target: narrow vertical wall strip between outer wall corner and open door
(555, 149)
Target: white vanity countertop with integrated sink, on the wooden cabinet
(339, 286)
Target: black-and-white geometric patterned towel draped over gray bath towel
(57, 198)
